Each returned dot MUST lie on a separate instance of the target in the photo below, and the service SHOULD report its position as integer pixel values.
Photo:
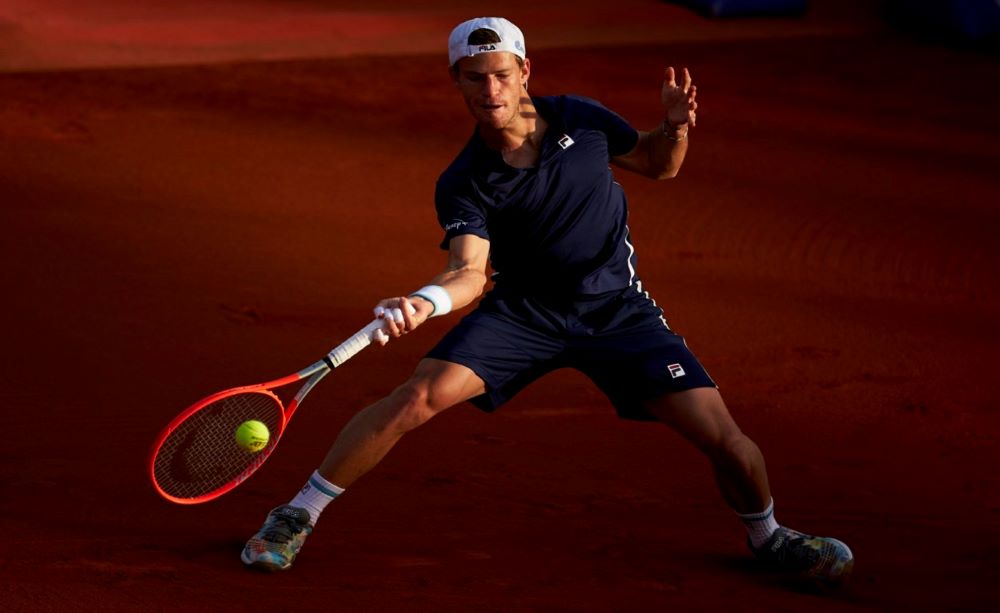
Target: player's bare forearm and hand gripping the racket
(463, 278)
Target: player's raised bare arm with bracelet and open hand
(659, 153)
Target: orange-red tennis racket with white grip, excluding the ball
(196, 457)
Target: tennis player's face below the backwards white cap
(492, 85)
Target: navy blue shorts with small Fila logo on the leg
(621, 341)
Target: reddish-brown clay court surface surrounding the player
(192, 201)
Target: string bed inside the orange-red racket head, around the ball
(201, 454)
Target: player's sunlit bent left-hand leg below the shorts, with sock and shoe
(435, 386)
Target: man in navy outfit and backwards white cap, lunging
(532, 194)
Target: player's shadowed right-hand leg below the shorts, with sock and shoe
(701, 417)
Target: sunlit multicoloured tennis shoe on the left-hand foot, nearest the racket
(277, 543)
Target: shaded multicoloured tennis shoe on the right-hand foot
(822, 561)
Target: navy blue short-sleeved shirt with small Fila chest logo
(558, 227)
